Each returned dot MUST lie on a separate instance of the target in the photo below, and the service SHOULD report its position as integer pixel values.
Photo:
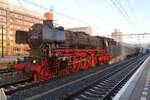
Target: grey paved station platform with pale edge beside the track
(138, 86)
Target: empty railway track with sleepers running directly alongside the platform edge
(106, 87)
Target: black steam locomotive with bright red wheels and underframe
(56, 52)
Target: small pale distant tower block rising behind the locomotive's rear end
(117, 35)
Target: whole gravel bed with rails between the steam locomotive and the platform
(99, 84)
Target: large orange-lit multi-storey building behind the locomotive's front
(15, 18)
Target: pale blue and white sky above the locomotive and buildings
(101, 15)
